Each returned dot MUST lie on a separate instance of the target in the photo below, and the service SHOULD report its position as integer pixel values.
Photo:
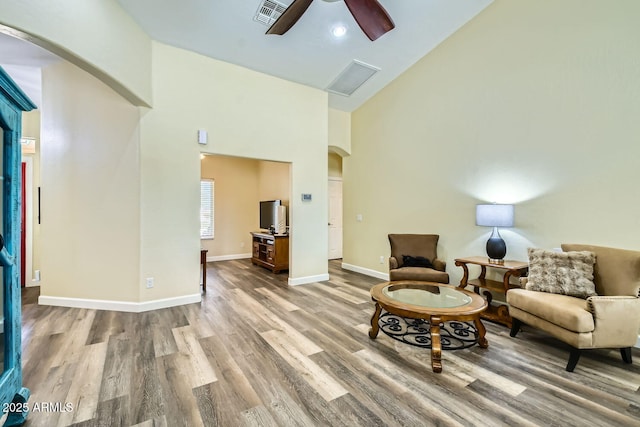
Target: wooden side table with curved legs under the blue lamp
(497, 313)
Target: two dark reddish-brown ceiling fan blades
(369, 14)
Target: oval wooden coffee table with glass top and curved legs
(433, 302)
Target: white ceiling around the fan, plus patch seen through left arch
(308, 53)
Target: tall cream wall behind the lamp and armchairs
(534, 103)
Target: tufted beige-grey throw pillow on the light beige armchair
(567, 273)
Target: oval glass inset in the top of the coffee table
(432, 296)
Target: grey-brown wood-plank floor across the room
(258, 353)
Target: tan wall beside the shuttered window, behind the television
(236, 204)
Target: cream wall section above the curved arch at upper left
(84, 33)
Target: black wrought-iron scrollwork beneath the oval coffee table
(454, 335)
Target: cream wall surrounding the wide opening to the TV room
(193, 92)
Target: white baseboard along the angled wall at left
(132, 307)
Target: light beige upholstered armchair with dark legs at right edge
(609, 320)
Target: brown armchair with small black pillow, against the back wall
(415, 248)
